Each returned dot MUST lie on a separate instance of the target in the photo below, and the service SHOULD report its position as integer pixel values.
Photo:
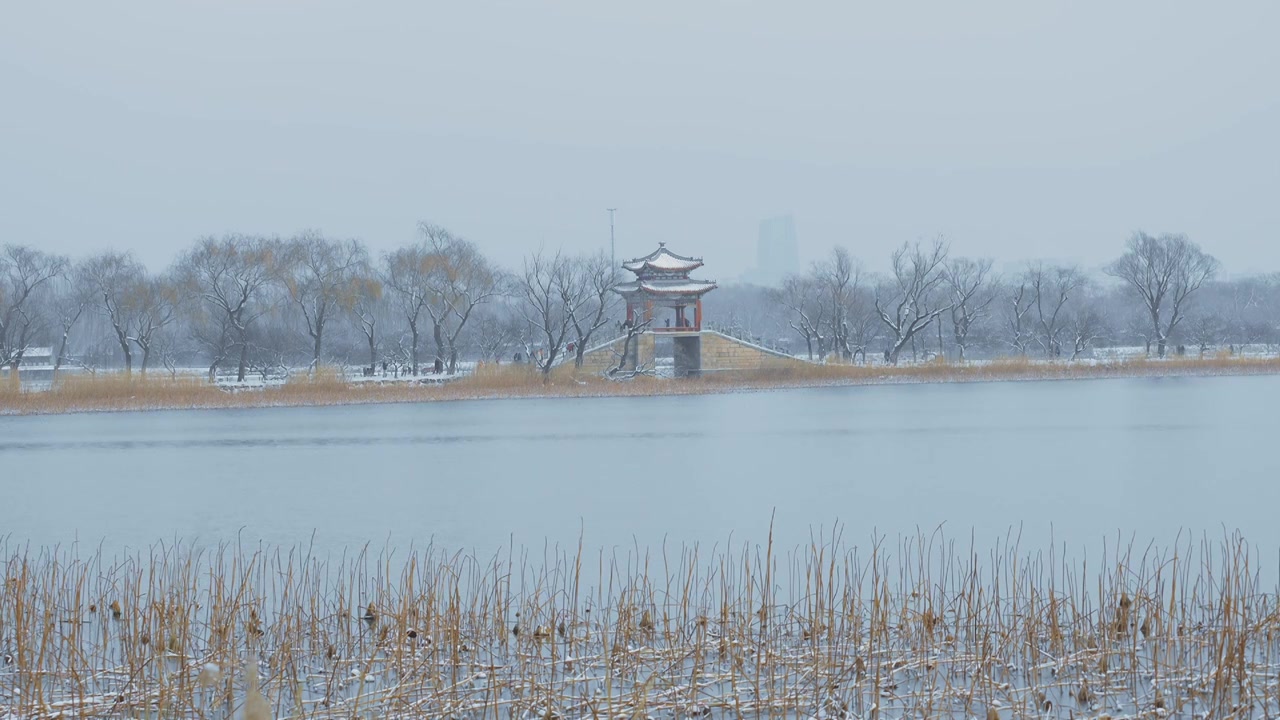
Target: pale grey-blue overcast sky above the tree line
(1017, 130)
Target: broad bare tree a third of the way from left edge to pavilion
(232, 279)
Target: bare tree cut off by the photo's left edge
(24, 271)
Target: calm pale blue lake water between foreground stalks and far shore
(1077, 462)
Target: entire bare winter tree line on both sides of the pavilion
(244, 304)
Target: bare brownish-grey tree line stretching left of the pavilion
(245, 304)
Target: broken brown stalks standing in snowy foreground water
(920, 628)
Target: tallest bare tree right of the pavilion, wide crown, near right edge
(1164, 272)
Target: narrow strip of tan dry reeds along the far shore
(118, 393)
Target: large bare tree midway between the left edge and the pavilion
(318, 274)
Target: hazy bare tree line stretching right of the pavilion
(1162, 293)
